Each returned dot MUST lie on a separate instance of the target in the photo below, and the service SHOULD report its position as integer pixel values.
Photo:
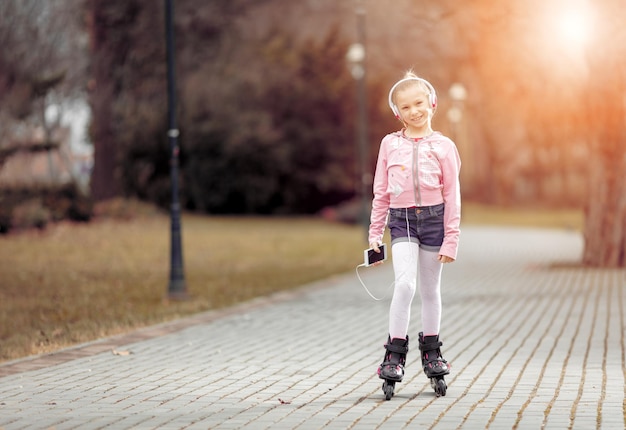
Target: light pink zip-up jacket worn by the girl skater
(418, 172)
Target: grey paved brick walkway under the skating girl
(534, 342)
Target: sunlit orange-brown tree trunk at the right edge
(605, 223)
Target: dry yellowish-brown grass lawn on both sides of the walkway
(74, 283)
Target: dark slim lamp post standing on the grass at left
(177, 289)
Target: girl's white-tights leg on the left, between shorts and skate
(405, 256)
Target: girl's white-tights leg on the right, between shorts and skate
(430, 291)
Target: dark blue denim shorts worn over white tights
(422, 225)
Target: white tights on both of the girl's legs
(406, 256)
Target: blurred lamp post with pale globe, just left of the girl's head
(356, 56)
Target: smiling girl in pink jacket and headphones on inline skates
(416, 190)
